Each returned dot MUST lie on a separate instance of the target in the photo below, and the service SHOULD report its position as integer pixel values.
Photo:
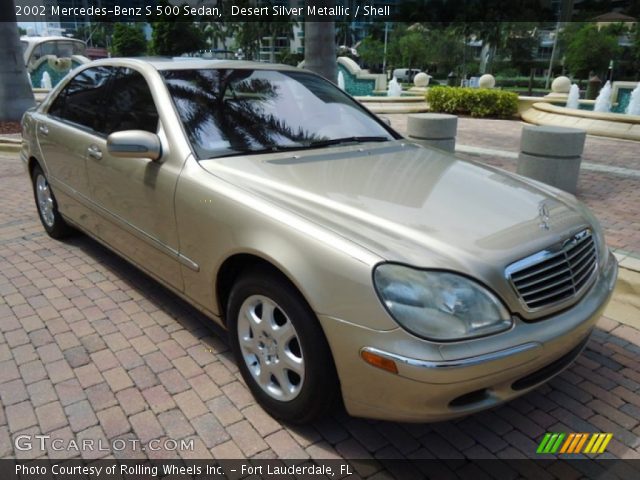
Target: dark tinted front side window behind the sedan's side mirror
(131, 105)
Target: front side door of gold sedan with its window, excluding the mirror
(135, 196)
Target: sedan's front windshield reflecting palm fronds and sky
(229, 112)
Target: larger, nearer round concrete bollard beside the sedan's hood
(552, 155)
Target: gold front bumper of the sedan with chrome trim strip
(441, 381)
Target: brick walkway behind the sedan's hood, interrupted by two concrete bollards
(609, 180)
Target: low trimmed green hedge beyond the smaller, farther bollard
(477, 102)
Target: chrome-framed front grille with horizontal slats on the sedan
(555, 276)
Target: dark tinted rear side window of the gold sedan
(84, 98)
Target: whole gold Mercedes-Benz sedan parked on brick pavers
(343, 260)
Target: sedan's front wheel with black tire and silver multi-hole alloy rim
(280, 348)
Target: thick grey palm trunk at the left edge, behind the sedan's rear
(16, 95)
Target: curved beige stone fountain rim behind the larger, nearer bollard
(614, 125)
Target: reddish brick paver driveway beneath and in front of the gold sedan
(90, 348)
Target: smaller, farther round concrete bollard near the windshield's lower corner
(433, 129)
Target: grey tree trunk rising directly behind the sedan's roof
(320, 49)
